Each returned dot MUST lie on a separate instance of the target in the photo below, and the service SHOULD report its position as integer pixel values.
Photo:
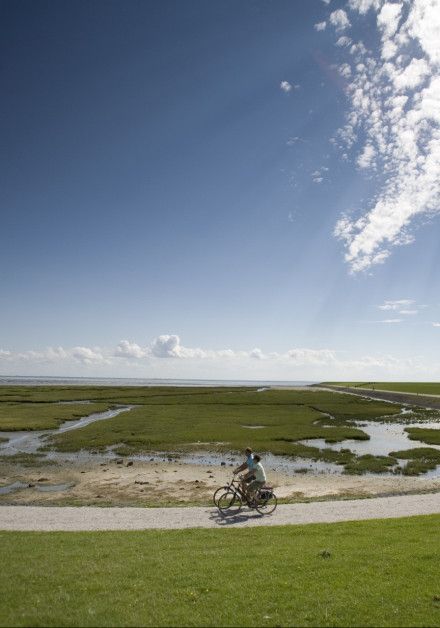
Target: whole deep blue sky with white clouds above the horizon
(220, 190)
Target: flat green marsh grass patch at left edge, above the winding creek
(43, 416)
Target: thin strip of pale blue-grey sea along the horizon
(13, 380)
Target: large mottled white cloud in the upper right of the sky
(393, 124)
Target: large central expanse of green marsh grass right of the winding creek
(173, 421)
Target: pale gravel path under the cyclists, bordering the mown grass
(92, 518)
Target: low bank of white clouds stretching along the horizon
(165, 356)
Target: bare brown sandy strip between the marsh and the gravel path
(159, 483)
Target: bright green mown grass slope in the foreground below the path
(376, 573)
